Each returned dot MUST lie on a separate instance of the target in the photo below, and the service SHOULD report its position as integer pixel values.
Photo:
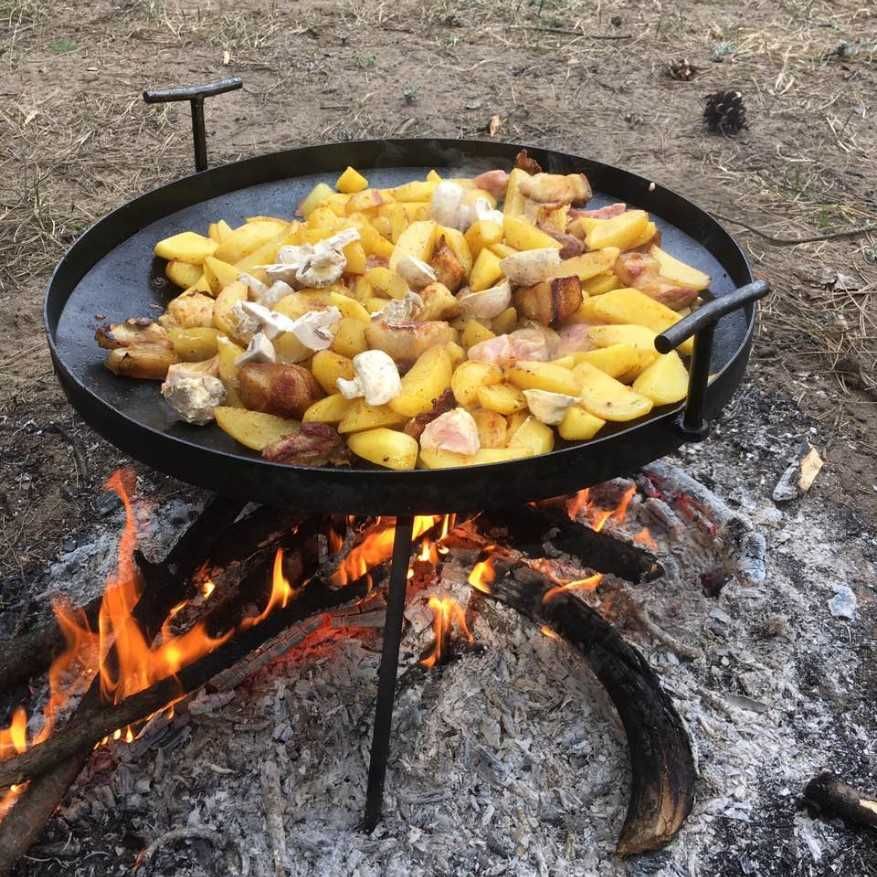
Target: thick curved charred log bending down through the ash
(662, 766)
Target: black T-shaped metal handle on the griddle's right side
(702, 324)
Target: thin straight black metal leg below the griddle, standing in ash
(377, 769)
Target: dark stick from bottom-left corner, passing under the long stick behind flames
(24, 823)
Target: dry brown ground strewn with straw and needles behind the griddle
(586, 77)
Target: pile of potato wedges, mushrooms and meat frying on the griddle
(440, 323)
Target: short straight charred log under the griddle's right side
(528, 527)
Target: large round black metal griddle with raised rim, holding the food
(110, 274)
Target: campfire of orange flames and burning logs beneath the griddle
(240, 590)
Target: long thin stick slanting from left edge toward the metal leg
(99, 720)
